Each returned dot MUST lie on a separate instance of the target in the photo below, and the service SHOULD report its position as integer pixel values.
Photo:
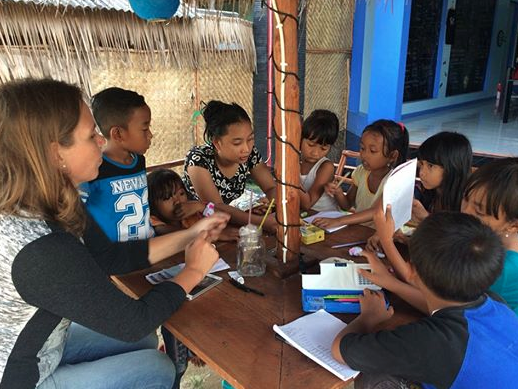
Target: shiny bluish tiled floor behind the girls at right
(483, 127)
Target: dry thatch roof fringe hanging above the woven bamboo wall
(37, 37)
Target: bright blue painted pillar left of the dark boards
(380, 36)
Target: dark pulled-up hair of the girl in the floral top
(219, 115)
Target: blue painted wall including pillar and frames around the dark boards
(380, 37)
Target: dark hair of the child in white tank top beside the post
(321, 126)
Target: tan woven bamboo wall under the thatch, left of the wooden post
(171, 95)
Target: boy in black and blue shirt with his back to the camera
(468, 340)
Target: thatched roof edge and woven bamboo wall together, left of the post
(174, 65)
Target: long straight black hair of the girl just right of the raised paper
(452, 151)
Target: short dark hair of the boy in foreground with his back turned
(456, 255)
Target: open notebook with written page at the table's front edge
(313, 336)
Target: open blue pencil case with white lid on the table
(336, 287)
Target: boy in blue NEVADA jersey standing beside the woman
(118, 197)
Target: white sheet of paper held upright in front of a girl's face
(399, 192)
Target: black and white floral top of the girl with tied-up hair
(229, 188)
